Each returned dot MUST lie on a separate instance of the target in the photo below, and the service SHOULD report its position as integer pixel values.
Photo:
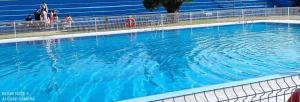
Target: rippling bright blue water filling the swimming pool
(118, 67)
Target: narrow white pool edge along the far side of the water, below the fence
(13, 40)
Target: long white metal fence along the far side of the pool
(113, 23)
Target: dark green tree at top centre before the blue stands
(172, 6)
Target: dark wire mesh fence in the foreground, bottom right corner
(272, 90)
